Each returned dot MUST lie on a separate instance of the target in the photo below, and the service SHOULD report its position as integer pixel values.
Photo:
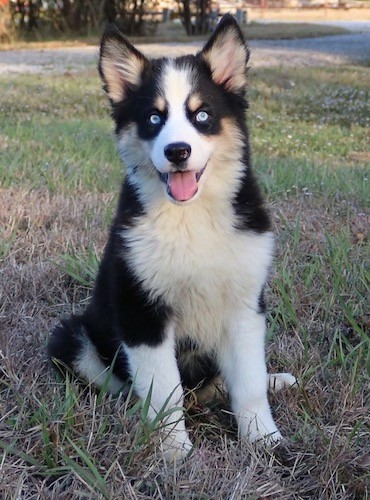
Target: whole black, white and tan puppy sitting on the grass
(178, 298)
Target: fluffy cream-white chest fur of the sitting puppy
(202, 266)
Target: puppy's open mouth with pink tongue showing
(182, 186)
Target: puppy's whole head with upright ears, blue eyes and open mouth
(170, 113)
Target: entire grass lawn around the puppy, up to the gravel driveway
(59, 176)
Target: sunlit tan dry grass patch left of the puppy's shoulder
(43, 225)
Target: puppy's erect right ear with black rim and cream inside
(227, 55)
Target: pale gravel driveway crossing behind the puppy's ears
(330, 50)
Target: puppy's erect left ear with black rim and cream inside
(120, 64)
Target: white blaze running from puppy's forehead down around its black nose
(176, 86)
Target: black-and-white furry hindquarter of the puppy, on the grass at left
(71, 349)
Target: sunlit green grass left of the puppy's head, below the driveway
(61, 140)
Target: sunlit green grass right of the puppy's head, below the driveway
(310, 131)
